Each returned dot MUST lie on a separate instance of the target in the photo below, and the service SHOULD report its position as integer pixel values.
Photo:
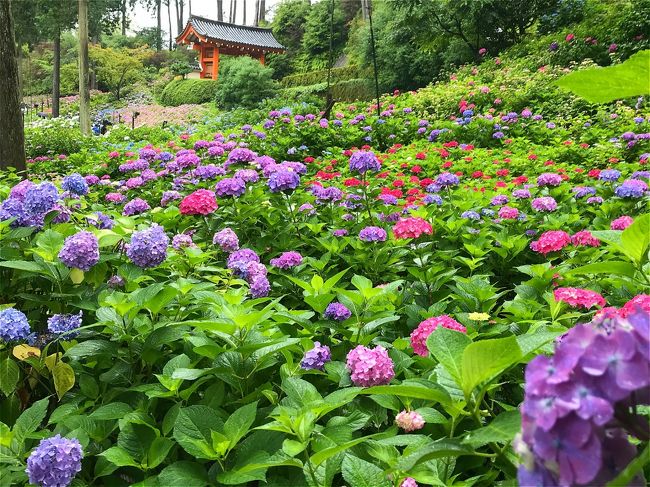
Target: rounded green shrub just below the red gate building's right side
(244, 82)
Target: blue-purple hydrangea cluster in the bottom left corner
(54, 462)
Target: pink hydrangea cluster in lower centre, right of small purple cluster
(370, 367)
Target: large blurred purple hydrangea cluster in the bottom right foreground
(575, 414)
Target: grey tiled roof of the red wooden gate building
(240, 34)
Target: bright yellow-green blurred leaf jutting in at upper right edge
(604, 85)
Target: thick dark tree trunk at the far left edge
(12, 147)
